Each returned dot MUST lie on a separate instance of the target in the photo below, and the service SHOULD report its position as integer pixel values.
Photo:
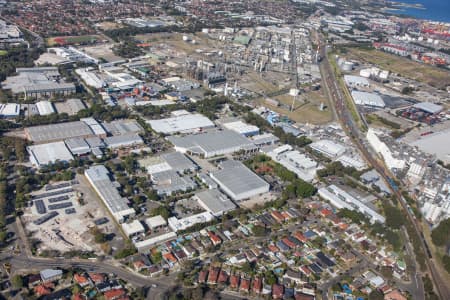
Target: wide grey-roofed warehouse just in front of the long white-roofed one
(212, 143)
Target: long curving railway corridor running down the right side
(337, 99)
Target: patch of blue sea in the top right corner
(435, 10)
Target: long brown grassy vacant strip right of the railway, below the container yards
(433, 76)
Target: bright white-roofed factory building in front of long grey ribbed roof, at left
(45, 154)
